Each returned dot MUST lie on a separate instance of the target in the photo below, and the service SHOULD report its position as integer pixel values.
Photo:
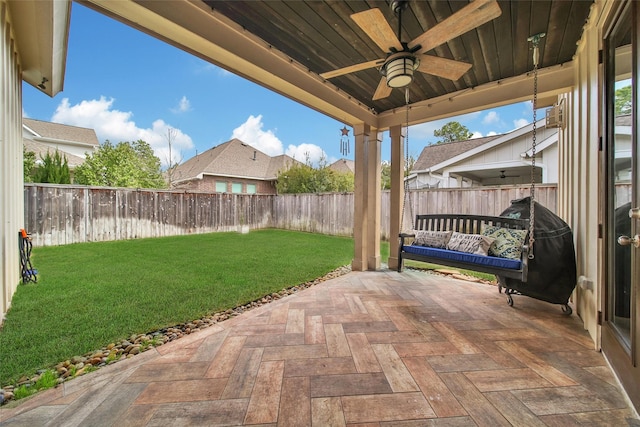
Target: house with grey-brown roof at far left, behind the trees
(73, 142)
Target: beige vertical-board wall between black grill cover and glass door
(579, 191)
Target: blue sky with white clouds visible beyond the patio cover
(128, 86)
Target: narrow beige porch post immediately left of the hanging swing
(397, 193)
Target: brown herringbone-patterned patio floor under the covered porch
(364, 349)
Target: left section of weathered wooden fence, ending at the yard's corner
(61, 214)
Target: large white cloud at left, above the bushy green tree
(117, 126)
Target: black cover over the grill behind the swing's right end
(552, 272)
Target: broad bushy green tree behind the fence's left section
(127, 164)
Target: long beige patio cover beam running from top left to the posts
(212, 37)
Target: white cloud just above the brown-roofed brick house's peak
(252, 133)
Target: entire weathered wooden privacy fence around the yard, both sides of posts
(63, 214)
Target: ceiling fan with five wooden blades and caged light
(402, 59)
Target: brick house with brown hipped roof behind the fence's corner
(232, 167)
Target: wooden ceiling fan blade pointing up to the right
(466, 19)
